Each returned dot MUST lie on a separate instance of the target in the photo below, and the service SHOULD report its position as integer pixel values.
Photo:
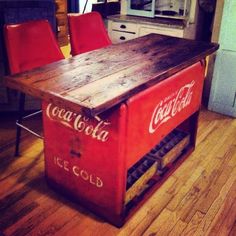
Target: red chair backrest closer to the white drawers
(87, 32)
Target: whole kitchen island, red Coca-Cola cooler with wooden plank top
(130, 132)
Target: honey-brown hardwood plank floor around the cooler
(198, 199)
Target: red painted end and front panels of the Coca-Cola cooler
(90, 158)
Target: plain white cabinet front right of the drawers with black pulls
(144, 30)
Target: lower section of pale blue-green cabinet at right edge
(223, 91)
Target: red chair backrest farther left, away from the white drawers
(30, 44)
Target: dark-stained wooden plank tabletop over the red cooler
(96, 81)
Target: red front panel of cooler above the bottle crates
(153, 113)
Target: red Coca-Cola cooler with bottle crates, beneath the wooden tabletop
(112, 162)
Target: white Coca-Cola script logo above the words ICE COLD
(95, 129)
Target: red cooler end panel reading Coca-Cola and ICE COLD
(86, 156)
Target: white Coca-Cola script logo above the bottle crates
(170, 106)
